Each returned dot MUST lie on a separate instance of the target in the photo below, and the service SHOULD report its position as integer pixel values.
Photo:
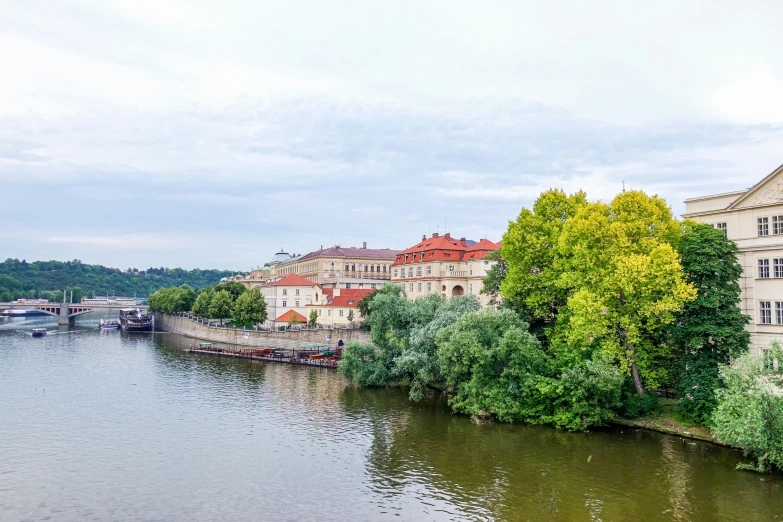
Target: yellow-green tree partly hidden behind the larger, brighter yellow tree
(530, 249)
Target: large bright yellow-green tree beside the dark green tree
(625, 283)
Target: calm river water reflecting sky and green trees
(107, 426)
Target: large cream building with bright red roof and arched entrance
(444, 265)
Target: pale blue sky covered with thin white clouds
(138, 133)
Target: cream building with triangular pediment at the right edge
(753, 219)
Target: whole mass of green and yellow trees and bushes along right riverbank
(598, 306)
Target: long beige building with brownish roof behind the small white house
(335, 267)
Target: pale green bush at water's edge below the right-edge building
(749, 414)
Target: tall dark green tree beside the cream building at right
(710, 330)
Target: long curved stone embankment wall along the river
(191, 328)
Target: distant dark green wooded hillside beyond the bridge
(46, 279)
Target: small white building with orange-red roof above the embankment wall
(288, 298)
